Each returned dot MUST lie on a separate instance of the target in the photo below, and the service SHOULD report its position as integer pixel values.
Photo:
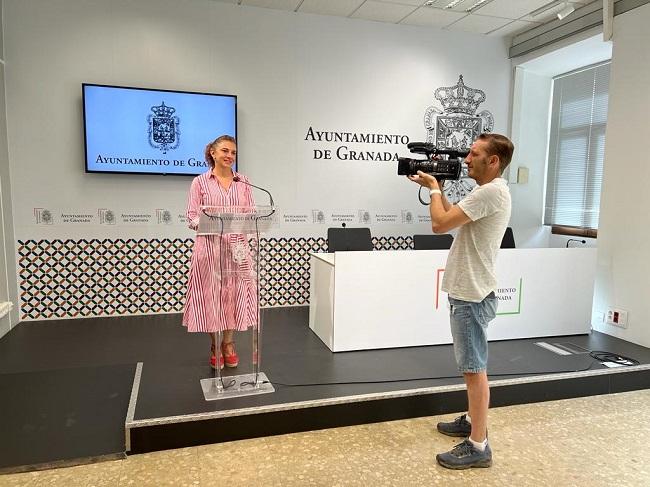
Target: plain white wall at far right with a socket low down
(624, 230)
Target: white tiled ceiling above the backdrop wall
(501, 18)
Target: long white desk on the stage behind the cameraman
(386, 299)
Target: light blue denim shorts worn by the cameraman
(469, 322)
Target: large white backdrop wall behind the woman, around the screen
(291, 72)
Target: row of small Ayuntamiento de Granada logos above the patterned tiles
(161, 216)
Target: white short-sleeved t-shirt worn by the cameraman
(469, 273)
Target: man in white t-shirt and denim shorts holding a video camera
(470, 281)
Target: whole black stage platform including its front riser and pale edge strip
(76, 391)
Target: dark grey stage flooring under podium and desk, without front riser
(66, 384)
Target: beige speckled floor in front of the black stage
(596, 441)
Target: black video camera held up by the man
(441, 169)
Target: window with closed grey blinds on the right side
(577, 147)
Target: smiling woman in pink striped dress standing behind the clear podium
(221, 288)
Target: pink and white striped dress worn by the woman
(221, 290)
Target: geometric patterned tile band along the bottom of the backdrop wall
(111, 277)
